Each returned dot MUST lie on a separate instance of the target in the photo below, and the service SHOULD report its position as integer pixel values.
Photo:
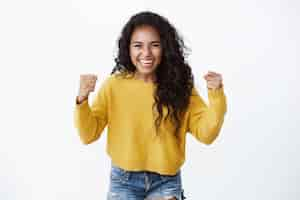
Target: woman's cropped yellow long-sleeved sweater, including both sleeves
(125, 106)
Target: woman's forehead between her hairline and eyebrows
(145, 33)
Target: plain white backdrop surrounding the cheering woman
(46, 45)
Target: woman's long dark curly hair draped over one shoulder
(174, 78)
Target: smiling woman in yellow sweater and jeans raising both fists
(149, 103)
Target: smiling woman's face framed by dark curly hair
(145, 49)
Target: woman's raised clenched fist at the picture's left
(87, 85)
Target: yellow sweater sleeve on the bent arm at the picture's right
(205, 122)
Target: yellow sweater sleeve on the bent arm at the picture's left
(91, 120)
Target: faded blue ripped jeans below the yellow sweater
(143, 185)
